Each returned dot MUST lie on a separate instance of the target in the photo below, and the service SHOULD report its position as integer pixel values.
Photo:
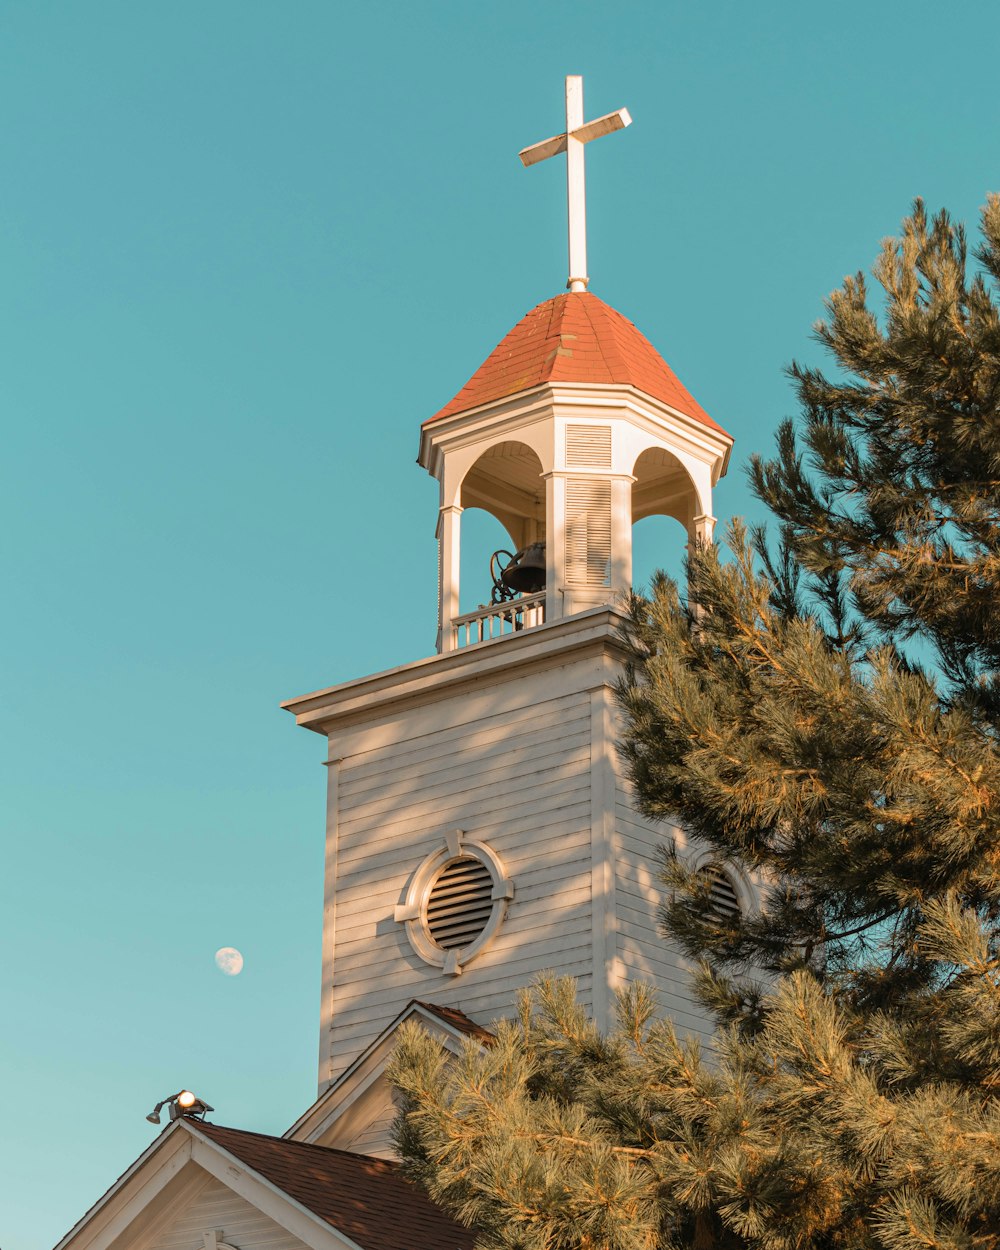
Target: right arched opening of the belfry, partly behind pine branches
(664, 506)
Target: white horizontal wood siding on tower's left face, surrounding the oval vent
(511, 767)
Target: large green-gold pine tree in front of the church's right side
(823, 713)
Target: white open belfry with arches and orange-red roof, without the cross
(571, 431)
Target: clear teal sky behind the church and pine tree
(246, 249)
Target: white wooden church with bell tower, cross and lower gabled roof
(479, 826)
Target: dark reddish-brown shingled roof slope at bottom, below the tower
(367, 1199)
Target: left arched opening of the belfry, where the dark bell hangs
(503, 497)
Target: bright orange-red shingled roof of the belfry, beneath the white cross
(574, 338)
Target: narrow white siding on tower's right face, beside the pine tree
(644, 954)
